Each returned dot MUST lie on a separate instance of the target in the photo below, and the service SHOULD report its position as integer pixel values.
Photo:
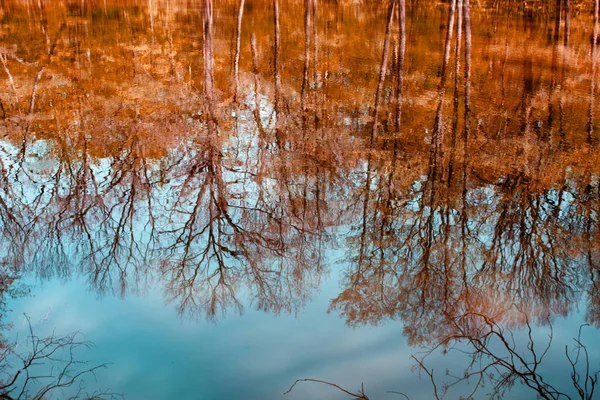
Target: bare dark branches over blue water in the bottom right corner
(500, 359)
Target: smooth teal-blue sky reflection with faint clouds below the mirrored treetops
(155, 354)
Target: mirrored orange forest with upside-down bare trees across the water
(220, 151)
